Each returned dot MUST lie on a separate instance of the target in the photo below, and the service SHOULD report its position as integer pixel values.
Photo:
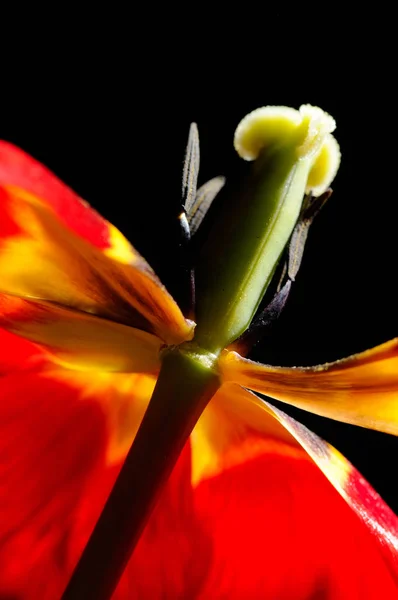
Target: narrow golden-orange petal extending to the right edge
(361, 389)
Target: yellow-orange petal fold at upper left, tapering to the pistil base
(40, 258)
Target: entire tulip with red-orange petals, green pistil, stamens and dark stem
(215, 492)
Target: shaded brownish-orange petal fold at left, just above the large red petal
(79, 340)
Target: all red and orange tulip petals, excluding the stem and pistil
(247, 511)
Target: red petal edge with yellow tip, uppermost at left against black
(20, 170)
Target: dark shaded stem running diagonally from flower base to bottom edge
(186, 383)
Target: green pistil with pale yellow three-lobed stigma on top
(294, 153)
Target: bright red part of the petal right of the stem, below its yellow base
(271, 527)
